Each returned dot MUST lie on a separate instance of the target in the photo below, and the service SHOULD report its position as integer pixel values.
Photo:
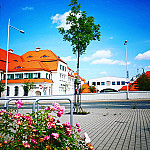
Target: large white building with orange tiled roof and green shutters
(49, 73)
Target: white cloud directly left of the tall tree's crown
(60, 20)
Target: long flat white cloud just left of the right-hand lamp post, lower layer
(109, 61)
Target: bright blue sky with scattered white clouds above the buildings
(119, 20)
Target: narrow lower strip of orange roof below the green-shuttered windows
(27, 80)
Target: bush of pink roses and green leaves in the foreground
(40, 130)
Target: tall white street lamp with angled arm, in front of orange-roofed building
(21, 31)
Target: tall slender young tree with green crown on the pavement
(82, 31)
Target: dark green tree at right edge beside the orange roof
(143, 83)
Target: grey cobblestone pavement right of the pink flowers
(116, 129)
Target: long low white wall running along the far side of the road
(95, 96)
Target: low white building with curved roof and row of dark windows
(108, 83)
